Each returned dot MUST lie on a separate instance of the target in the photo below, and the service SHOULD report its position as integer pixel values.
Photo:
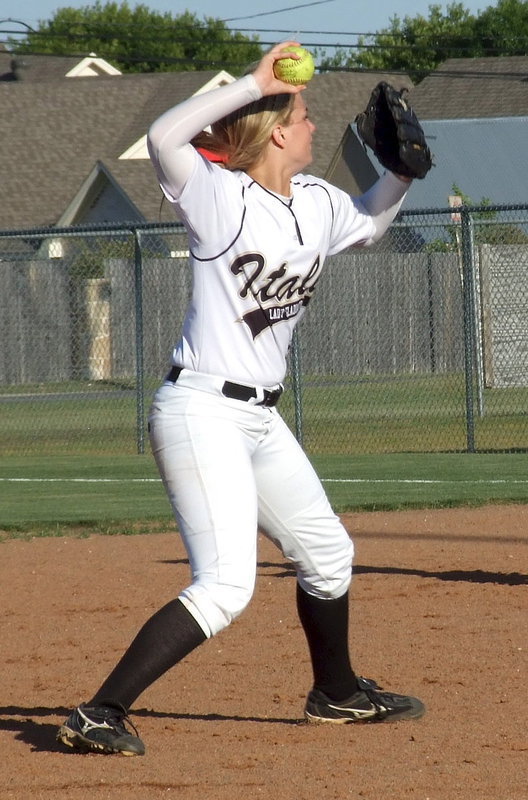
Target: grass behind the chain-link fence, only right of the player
(408, 413)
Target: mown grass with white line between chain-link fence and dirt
(115, 494)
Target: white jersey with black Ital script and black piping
(256, 257)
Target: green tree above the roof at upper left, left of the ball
(141, 40)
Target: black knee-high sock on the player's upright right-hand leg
(325, 623)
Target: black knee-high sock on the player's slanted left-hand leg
(167, 637)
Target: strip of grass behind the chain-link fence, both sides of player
(340, 416)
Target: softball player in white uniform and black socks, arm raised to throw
(259, 231)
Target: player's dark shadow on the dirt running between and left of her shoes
(41, 736)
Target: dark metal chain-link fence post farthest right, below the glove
(469, 328)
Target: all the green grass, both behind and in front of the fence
(69, 452)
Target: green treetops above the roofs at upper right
(417, 45)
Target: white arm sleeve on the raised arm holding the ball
(169, 136)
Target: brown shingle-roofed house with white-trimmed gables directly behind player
(73, 137)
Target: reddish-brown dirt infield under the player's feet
(439, 609)
